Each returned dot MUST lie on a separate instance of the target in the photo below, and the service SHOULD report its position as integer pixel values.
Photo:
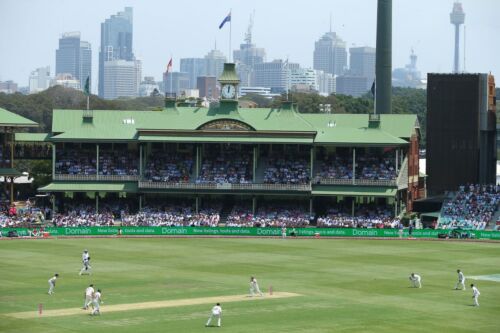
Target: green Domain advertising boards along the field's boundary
(235, 231)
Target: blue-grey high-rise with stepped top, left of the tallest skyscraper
(74, 57)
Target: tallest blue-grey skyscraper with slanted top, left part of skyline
(116, 42)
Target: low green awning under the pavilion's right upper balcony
(354, 191)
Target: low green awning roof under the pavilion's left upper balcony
(90, 187)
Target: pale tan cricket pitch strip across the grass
(151, 305)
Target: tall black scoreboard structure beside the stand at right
(461, 131)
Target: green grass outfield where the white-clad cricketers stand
(346, 285)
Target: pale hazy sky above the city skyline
(30, 29)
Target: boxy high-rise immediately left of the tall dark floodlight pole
(362, 63)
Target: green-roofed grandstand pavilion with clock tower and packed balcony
(232, 154)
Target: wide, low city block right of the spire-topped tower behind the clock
(274, 74)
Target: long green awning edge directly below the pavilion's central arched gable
(224, 139)
